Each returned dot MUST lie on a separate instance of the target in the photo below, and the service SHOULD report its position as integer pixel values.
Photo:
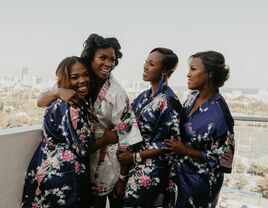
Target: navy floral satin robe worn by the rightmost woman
(210, 130)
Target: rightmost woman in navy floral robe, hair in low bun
(207, 146)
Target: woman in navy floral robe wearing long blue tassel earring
(157, 111)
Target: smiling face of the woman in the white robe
(103, 62)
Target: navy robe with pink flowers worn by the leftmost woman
(58, 175)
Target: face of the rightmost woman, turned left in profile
(197, 75)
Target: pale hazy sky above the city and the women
(38, 34)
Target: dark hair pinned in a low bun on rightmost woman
(215, 66)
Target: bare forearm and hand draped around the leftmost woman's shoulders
(68, 95)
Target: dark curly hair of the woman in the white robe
(95, 42)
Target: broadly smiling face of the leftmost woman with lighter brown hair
(79, 79)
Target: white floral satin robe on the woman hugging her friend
(112, 108)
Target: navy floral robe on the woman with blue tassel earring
(158, 119)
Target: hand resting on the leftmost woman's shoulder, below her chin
(70, 96)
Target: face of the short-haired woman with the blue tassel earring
(152, 67)
